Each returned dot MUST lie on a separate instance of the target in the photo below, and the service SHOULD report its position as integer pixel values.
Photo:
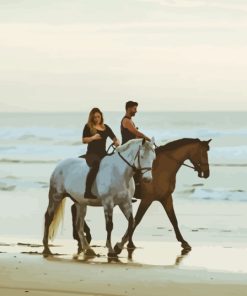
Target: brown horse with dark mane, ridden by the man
(169, 159)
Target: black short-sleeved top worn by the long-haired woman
(98, 147)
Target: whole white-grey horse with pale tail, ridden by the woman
(112, 187)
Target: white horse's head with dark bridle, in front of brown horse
(144, 159)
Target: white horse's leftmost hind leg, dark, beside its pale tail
(54, 201)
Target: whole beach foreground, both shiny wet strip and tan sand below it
(152, 269)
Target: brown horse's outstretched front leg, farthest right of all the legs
(168, 206)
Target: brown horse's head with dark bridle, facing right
(199, 159)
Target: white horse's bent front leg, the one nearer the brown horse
(126, 208)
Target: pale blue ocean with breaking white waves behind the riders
(45, 138)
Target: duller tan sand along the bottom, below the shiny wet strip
(22, 274)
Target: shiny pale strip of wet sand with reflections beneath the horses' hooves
(211, 257)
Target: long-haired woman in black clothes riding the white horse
(95, 134)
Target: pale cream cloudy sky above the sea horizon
(169, 55)
